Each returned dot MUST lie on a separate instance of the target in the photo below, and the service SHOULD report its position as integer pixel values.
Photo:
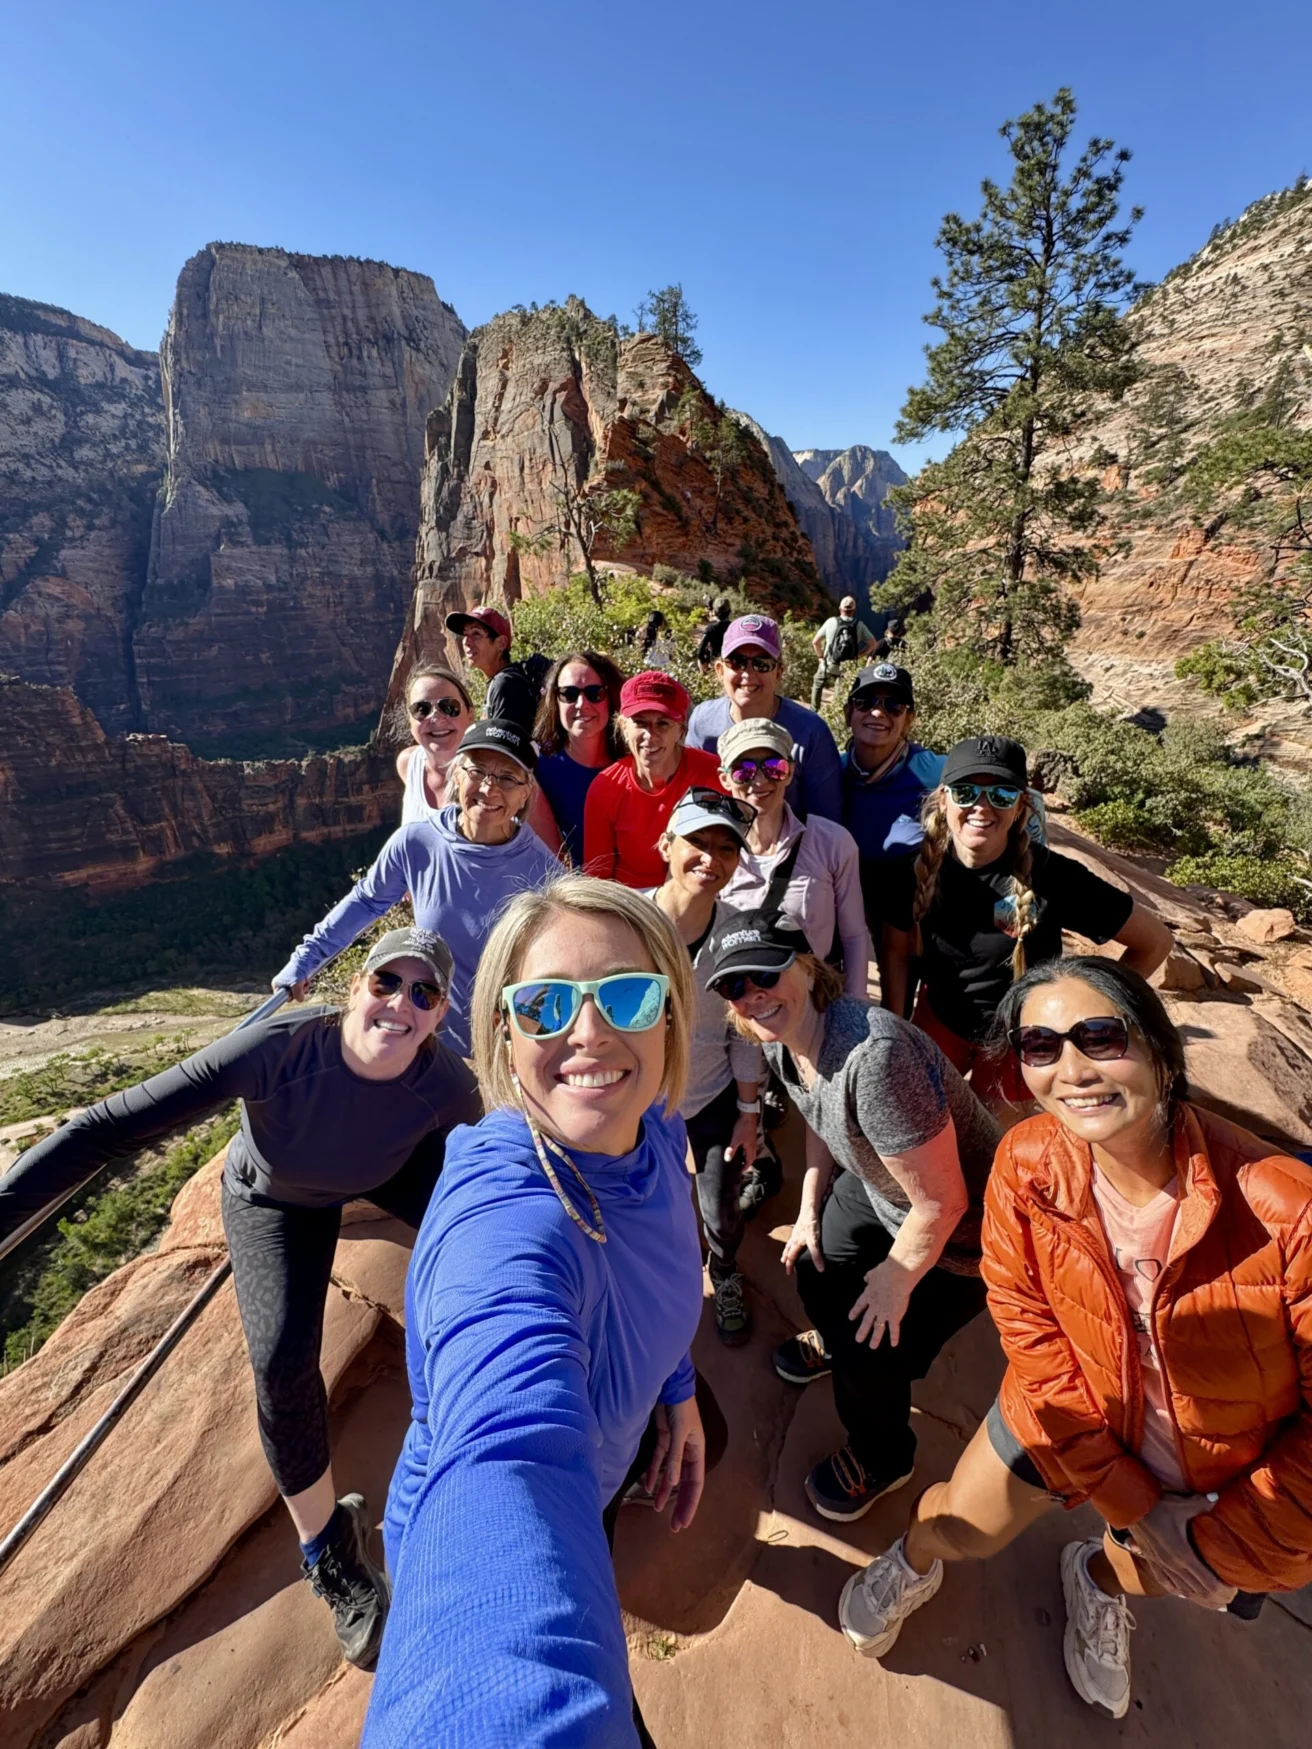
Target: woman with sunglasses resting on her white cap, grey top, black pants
(722, 1103)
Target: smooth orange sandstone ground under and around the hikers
(160, 1603)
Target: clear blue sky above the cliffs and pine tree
(788, 164)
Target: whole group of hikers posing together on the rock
(641, 931)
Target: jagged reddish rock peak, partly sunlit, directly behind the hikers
(554, 408)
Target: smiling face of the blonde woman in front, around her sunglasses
(590, 1085)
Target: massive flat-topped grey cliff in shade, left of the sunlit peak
(297, 391)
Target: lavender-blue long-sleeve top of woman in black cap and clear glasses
(457, 889)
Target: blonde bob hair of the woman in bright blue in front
(522, 923)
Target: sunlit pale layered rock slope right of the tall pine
(1217, 337)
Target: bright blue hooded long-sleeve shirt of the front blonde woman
(536, 1358)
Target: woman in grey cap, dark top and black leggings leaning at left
(333, 1106)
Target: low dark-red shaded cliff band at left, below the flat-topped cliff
(80, 807)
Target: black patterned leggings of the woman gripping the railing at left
(283, 1262)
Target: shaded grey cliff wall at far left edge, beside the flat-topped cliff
(81, 457)
